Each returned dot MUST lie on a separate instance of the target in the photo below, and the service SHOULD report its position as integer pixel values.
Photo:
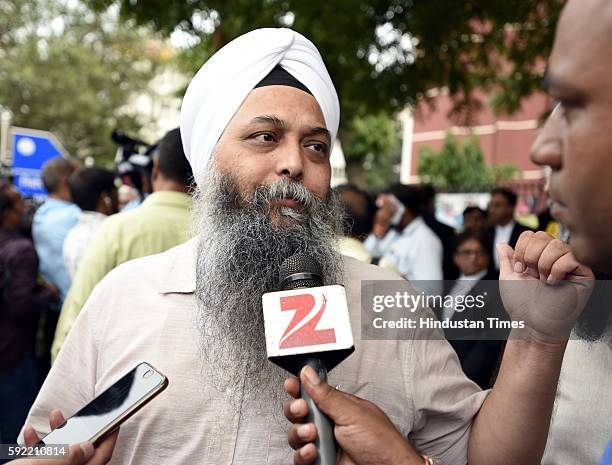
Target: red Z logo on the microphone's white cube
(302, 330)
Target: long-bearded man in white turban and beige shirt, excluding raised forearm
(258, 123)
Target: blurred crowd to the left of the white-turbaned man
(53, 257)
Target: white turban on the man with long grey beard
(221, 85)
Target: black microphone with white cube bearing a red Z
(308, 323)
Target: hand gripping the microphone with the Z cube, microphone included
(308, 332)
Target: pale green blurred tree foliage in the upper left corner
(74, 72)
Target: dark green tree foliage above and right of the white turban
(384, 54)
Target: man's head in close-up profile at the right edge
(576, 140)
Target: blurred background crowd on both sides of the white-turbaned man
(77, 237)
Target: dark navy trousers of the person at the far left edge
(18, 389)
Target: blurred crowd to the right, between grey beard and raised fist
(398, 231)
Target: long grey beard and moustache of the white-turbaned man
(240, 251)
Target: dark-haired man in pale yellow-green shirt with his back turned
(162, 221)
